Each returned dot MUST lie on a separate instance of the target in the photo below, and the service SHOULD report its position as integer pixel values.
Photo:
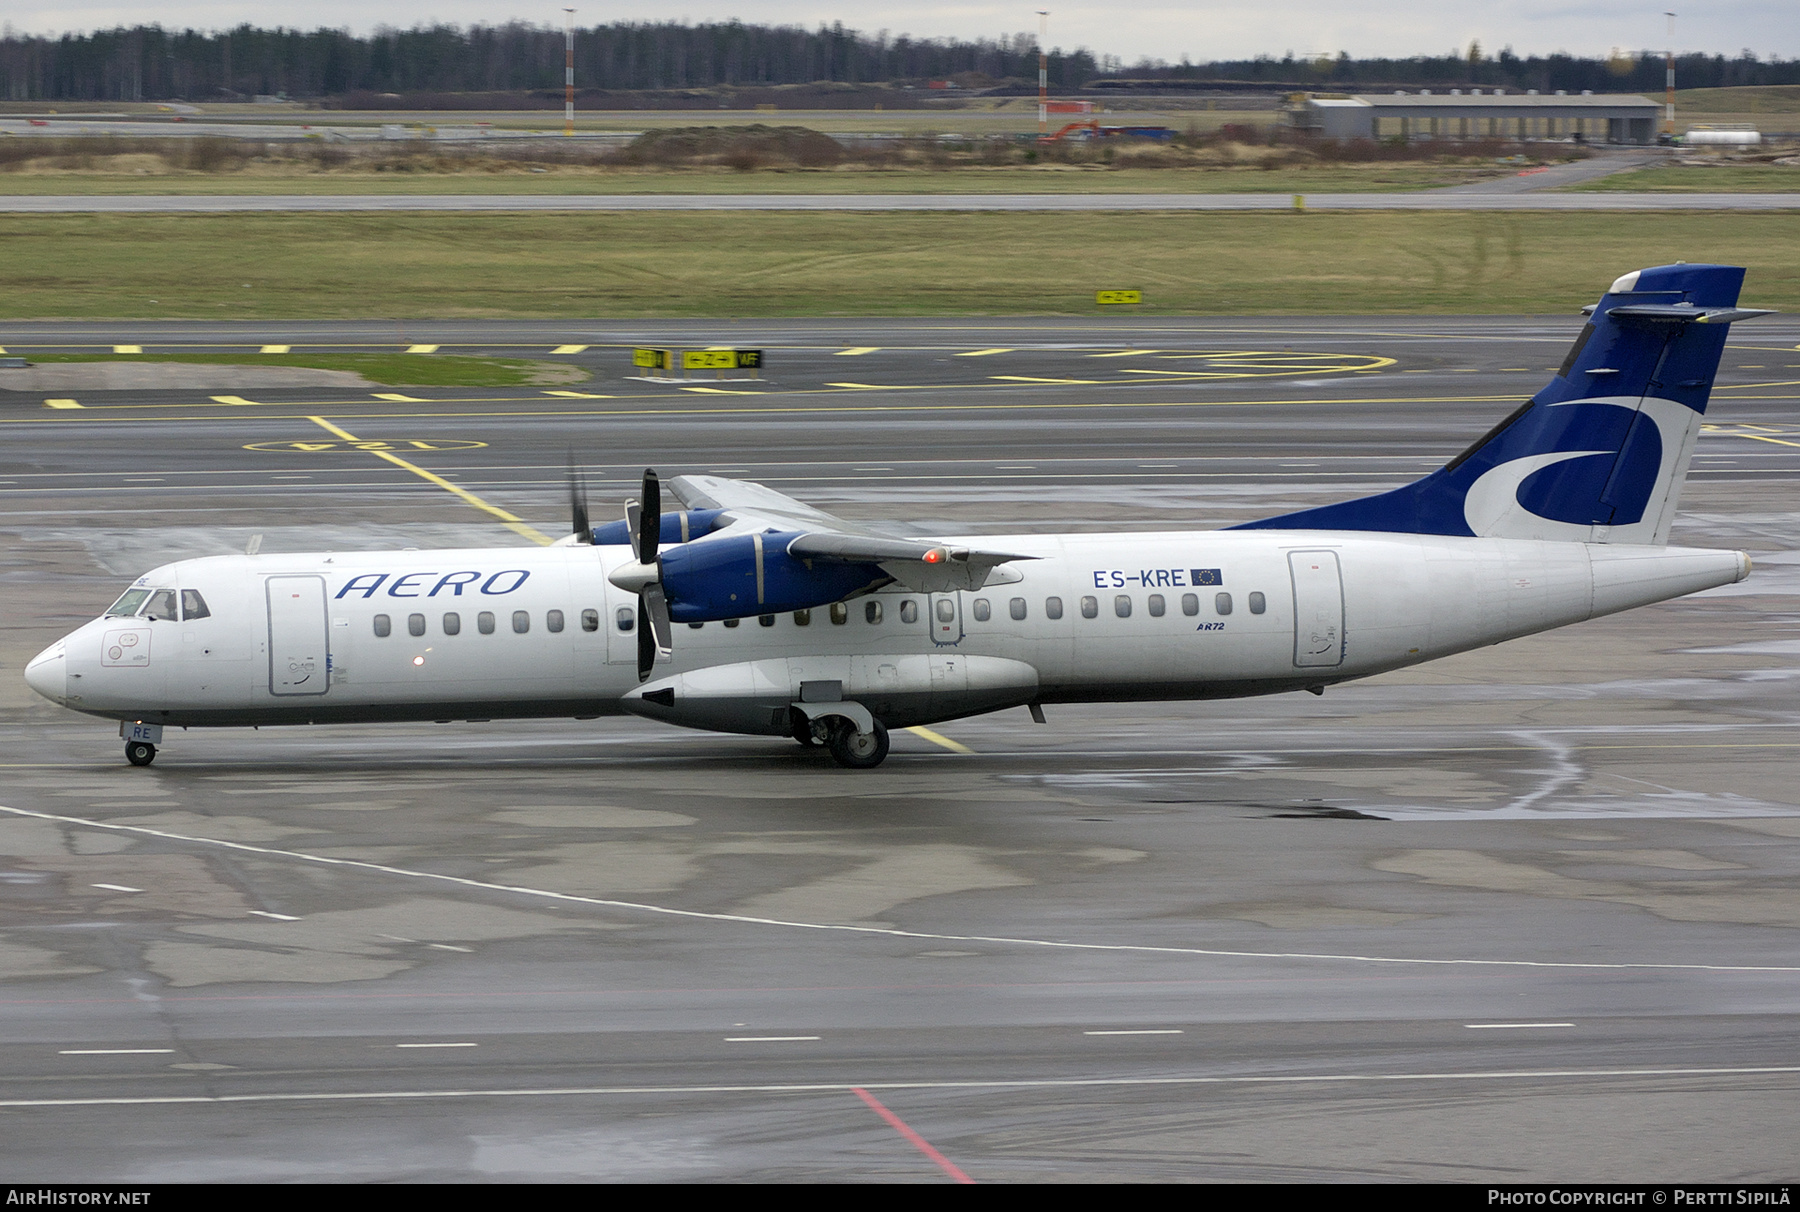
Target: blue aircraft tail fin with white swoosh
(1601, 453)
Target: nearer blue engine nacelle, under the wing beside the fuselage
(744, 575)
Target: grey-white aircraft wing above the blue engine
(919, 565)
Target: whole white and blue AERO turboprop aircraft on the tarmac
(804, 626)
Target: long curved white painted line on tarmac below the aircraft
(886, 932)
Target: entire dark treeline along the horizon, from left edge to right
(154, 64)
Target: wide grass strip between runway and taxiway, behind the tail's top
(870, 264)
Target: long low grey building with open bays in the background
(1477, 114)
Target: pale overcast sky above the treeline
(1200, 30)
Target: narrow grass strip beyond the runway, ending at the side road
(521, 181)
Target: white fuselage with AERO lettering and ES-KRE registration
(474, 633)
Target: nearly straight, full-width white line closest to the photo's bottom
(1043, 1083)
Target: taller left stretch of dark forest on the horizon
(154, 64)
